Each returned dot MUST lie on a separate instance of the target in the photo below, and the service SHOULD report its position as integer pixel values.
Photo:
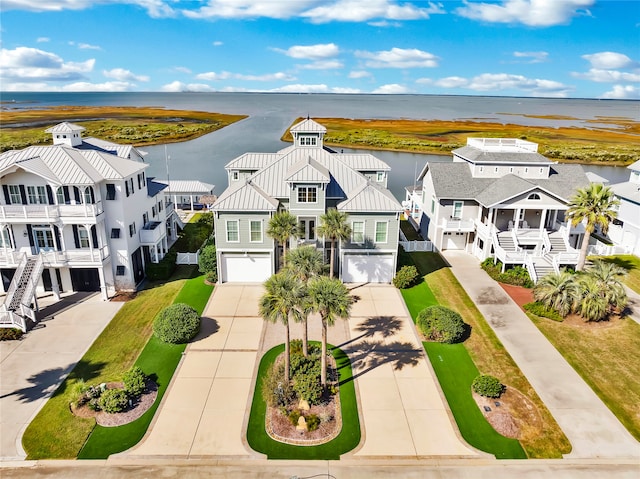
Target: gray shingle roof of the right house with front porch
(454, 181)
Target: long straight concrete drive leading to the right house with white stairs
(592, 429)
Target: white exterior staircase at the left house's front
(17, 303)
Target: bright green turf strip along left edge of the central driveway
(159, 360)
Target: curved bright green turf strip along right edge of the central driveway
(456, 371)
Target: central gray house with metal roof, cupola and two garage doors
(306, 179)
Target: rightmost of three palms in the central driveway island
(330, 298)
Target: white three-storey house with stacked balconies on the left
(78, 215)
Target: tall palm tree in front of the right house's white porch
(596, 204)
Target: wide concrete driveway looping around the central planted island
(205, 410)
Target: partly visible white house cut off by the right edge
(625, 230)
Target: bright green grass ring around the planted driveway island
(348, 438)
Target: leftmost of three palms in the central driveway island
(283, 293)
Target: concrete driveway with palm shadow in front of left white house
(33, 368)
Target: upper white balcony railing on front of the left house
(30, 213)
